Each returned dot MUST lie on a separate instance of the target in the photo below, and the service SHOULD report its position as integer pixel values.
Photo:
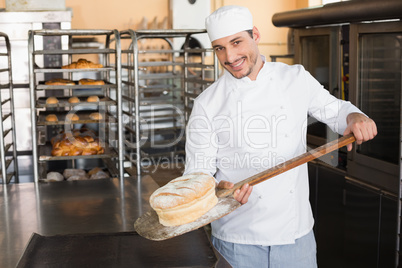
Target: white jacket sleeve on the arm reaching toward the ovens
(327, 108)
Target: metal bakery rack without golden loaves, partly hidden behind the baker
(161, 77)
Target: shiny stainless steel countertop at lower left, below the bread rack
(95, 206)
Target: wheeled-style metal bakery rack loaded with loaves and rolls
(108, 127)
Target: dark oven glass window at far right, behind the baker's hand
(380, 92)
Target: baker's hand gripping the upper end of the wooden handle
(362, 127)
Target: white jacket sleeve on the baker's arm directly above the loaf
(201, 155)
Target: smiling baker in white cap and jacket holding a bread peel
(252, 118)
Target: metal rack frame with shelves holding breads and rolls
(109, 105)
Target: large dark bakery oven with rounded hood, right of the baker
(354, 48)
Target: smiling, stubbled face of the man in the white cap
(239, 54)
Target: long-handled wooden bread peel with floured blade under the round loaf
(148, 224)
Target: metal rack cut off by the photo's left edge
(8, 151)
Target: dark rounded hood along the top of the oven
(341, 12)
